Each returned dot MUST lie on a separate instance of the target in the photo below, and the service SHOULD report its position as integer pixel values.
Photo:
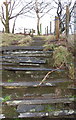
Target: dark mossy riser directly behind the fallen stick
(28, 76)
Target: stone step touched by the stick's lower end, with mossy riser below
(30, 91)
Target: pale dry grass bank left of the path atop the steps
(14, 39)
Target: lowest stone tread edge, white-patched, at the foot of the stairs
(55, 114)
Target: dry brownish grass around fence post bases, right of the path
(51, 39)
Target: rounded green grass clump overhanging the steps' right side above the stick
(63, 57)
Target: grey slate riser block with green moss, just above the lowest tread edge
(39, 108)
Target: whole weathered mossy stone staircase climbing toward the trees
(23, 68)
